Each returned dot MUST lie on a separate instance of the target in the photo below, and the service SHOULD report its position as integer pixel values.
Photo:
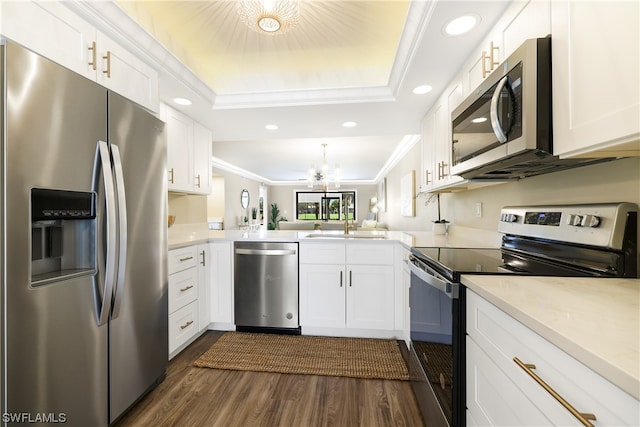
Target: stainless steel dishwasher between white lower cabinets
(266, 287)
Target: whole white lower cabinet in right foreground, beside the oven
(502, 392)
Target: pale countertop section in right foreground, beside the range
(597, 321)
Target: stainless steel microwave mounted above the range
(503, 129)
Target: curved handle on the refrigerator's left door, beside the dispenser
(103, 163)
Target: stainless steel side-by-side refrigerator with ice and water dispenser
(83, 255)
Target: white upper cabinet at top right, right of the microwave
(596, 83)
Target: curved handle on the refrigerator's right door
(122, 231)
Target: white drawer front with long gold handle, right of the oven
(503, 338)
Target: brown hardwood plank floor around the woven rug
(191, 396)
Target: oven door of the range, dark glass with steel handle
(437, 346)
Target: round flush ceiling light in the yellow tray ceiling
(270, 16)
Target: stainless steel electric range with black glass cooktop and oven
(595, 240)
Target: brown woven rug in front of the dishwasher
(311, 355)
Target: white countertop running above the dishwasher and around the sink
(190, 234)
